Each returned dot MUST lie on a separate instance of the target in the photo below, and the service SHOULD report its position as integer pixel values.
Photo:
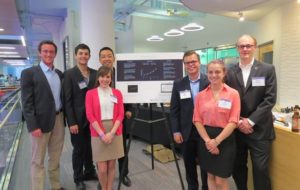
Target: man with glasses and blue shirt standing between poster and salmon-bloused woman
(181, 114)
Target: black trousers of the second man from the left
(82, 160)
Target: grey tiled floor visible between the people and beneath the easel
(163, 177)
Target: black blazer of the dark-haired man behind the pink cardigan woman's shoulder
(74, 97)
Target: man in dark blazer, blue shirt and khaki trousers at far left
(42, 110)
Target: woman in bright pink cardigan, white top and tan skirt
(105, 112)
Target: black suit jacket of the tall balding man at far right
(256, 102)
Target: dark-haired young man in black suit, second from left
(77, 81)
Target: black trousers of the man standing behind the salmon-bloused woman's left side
(190, 155)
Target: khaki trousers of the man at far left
(53, 142)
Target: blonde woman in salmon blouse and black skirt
(216, 115)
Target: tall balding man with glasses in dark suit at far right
(256, 84)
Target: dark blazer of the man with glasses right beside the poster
(181, 110)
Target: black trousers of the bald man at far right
(260, 156)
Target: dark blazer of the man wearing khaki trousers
(37, 100)
